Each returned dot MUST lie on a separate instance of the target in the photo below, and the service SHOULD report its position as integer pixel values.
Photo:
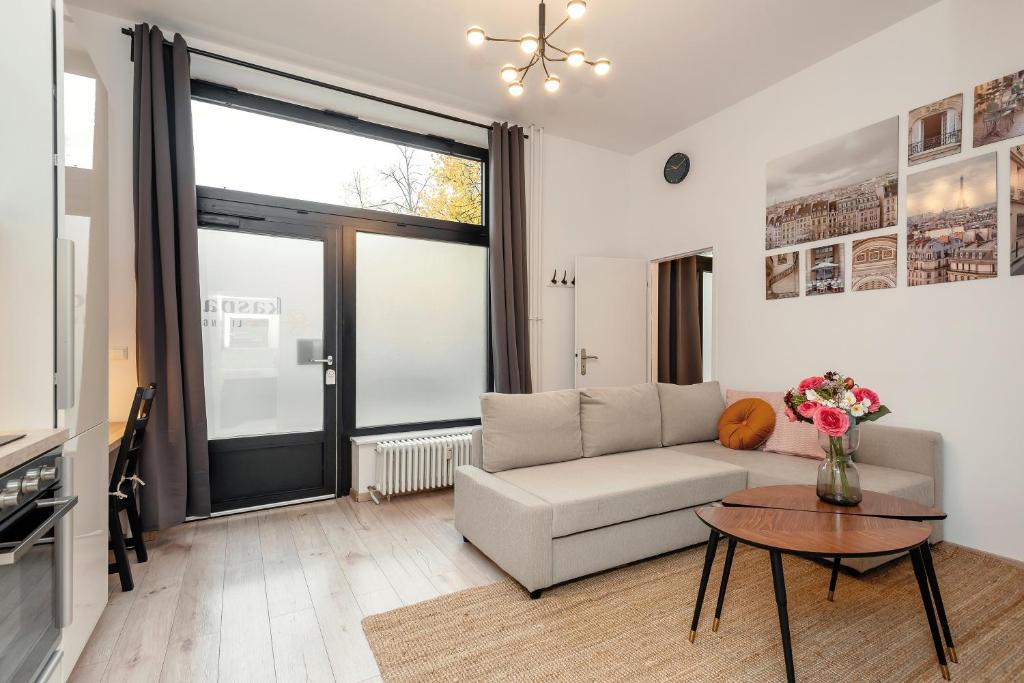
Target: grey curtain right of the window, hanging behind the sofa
(509, 313)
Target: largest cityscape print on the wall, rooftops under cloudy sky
(841, 187)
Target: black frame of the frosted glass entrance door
(328, 436)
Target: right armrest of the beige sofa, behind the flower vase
(904, 449)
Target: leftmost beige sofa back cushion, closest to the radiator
(523, 431)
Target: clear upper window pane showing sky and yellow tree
(268, 155)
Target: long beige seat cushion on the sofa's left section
(593, 493)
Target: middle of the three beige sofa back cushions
(620, 419)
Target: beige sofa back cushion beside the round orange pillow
(691, 413)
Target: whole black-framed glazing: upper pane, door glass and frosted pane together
(405, 244)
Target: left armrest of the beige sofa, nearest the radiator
(506, 524)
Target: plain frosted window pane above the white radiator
(421, 330)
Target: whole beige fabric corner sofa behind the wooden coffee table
(567, 484)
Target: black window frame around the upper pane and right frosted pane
(234, 209)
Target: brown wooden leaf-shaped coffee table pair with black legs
(791, 520)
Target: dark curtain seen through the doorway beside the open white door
(679, 354)
